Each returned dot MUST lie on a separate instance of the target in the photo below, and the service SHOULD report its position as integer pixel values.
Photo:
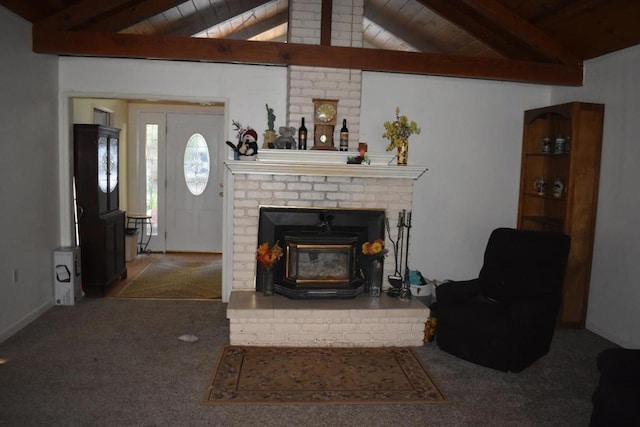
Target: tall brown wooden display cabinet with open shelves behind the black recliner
(573, 209)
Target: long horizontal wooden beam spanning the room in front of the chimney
(271, 53)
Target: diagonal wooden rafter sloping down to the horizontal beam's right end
(522, 29)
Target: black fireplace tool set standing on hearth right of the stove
(399, 280)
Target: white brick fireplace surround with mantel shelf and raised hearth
(315, 179)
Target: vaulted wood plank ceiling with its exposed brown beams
(535, 41)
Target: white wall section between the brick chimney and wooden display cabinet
(471, 141)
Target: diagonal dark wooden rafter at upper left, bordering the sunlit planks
(133, 13)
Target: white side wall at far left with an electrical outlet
(28, 173)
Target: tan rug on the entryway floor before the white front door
(176, 280)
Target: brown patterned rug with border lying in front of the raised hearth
(292, 375)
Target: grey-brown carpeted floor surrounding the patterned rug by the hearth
(121, 362)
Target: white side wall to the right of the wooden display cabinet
(614, 296)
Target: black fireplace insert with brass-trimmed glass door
(322, 248)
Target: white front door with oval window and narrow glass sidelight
(181, 172)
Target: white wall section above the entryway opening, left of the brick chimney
(245, 88)
